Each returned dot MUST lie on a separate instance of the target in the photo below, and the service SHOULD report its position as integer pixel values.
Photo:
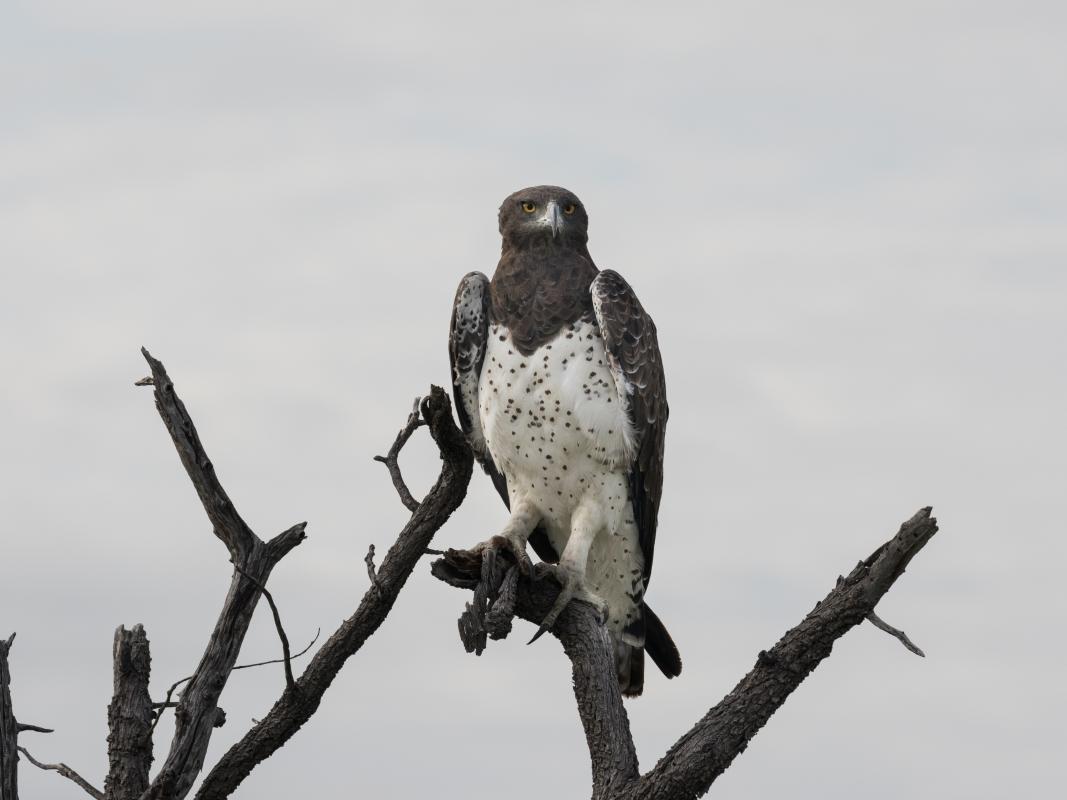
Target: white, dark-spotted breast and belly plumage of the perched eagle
(558, 428)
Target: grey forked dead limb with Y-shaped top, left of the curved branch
(198, 713)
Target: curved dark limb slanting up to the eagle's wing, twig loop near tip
(297, 706)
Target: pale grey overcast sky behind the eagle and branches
(848, 220)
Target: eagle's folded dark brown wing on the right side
(633, 353)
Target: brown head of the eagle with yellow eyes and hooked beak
(544, 215)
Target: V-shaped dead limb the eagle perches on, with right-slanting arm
(692, 765)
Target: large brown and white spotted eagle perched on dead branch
(561, 391)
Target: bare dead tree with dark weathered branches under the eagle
(501, 593)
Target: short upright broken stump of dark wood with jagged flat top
(130, 717)
